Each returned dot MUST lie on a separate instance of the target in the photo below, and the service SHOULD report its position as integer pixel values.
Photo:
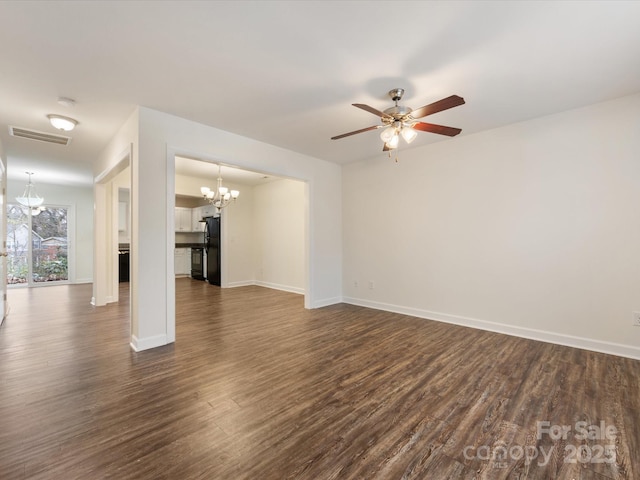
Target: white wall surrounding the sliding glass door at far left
(80, 218)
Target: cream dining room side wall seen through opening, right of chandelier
(279, 234)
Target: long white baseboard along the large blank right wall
(611, 348)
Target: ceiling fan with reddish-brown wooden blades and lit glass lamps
(401, 121)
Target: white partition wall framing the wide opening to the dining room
(156, 138)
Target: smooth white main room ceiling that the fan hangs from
(287, 72)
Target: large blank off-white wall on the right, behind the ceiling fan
(531, 229)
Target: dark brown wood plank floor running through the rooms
(256, 387)
